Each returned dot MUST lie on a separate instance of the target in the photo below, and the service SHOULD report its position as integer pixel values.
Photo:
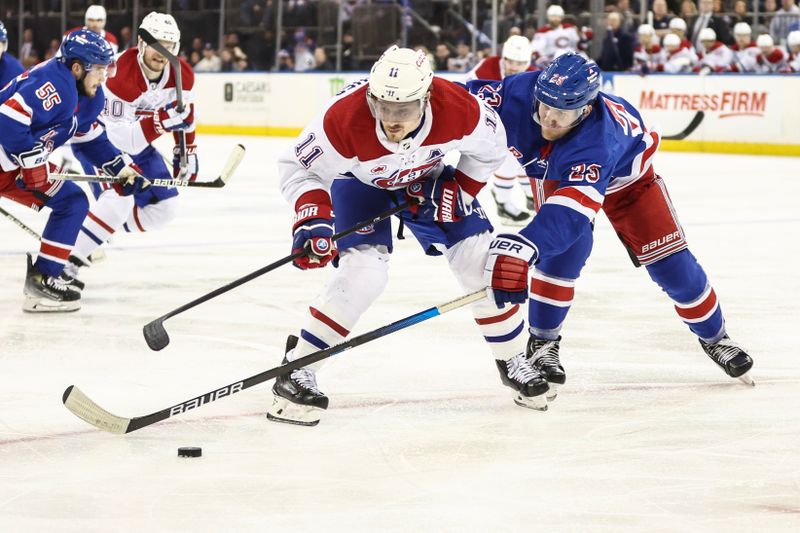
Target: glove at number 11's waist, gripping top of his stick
(440, 198)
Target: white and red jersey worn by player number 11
(345, 141)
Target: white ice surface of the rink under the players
(648, 435)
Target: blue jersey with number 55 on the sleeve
(42, 106)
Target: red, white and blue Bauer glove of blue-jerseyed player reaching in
(506, 271)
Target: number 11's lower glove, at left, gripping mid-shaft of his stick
(313, 229)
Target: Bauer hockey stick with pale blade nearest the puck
(84, 408)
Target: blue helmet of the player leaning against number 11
(570, 82)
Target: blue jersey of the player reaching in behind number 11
(608, 151)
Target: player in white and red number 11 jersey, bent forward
(377, 143)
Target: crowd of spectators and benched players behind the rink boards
(678, 36)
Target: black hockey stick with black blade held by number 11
(156, 335)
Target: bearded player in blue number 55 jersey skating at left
(40, 110)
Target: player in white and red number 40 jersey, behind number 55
(141, 105)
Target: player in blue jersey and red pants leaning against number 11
(595, 152)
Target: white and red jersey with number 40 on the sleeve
(131, 97)
